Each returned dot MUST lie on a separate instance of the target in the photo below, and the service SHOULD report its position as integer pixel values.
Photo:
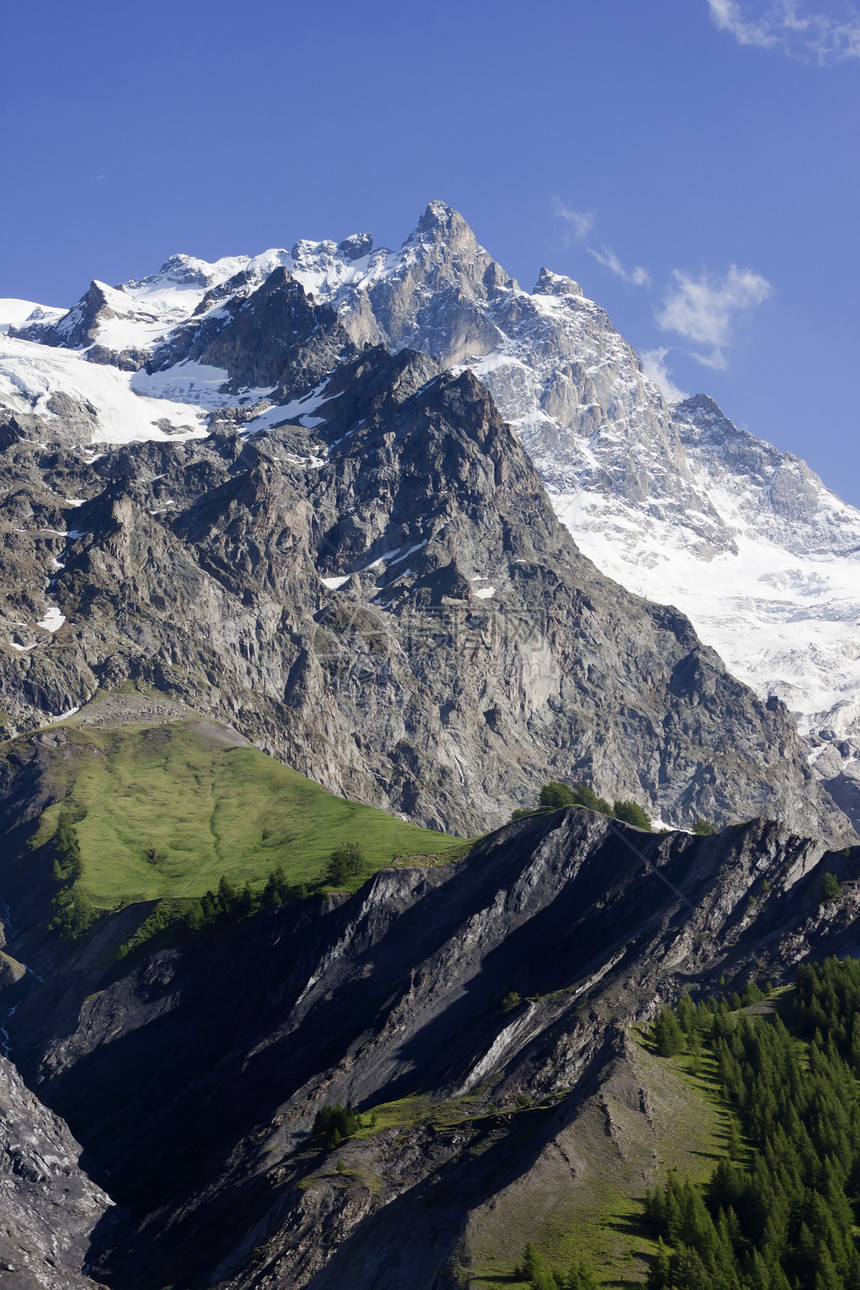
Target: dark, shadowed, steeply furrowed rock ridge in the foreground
(398, 994)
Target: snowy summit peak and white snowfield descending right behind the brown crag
(675, 502)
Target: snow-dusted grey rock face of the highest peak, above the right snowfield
(562, 375)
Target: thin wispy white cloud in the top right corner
(792, 29)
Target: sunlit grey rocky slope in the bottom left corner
(54, 1217)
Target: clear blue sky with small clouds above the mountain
(692, 163)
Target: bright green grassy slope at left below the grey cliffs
(171, 809)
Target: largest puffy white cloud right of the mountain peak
(707, 309)
